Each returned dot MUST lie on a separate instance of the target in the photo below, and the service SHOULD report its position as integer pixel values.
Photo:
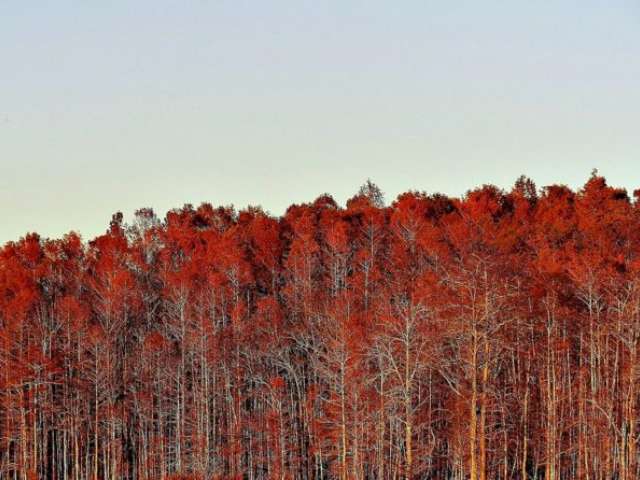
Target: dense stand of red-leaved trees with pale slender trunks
(490, 337)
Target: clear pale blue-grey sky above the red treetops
(113, 106)
